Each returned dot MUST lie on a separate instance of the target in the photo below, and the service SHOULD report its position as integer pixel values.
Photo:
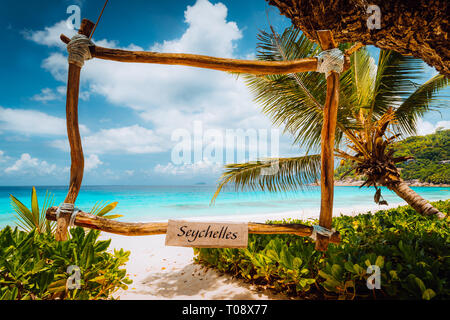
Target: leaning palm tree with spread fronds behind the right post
(378, 104)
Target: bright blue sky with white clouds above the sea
(128, 113)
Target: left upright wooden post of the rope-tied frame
(73, 133)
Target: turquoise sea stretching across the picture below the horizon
(150, 203)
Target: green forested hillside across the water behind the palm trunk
(430, 166)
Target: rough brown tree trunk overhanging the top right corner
(412, 27)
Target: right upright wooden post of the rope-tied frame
(327, 144)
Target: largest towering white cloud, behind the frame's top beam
(172, 97)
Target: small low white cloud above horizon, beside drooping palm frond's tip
(199, 167)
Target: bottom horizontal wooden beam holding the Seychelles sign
(90, 221)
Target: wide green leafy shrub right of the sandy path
(412, 251)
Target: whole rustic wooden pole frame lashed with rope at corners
(230, 65)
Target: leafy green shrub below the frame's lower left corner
(34, 266)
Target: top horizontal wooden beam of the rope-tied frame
(256, 67)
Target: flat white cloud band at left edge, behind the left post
(32, 122)
